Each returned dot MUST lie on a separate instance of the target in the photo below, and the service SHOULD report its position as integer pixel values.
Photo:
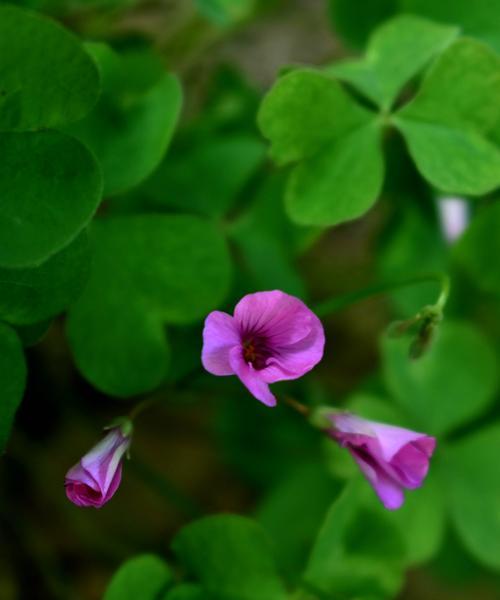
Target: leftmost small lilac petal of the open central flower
(220, 334)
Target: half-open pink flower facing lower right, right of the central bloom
(391, 458)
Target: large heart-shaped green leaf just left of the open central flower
(147, 270)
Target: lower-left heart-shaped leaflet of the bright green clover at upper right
(338, 144)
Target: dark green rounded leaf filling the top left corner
(46, 77)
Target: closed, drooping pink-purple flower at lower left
(95, 479)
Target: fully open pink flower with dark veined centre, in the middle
(271, 337)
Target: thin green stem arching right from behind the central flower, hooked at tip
(338, 303)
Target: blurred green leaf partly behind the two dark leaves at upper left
(131, 126)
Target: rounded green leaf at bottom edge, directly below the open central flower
(232, 557)
